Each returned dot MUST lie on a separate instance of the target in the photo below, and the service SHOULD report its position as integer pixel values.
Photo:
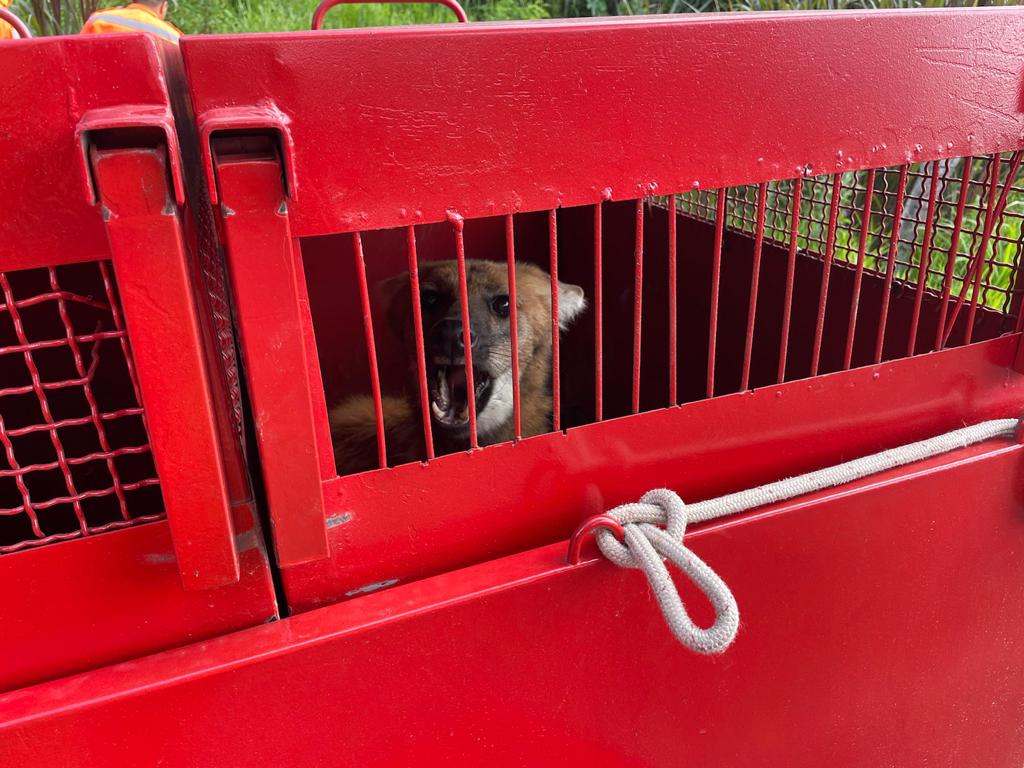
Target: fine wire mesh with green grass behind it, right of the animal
(952, 217)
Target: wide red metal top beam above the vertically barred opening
(529, 160)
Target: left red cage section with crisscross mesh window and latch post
(92, 176)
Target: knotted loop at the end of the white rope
(655, 528)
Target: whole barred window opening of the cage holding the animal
(692, 296)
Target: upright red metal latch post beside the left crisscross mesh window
(132, 173)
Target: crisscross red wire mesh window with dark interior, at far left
(76, 458)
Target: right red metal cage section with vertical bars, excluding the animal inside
(444, 158)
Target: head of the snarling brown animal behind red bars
(491, 342)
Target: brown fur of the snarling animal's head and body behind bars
(354, 422)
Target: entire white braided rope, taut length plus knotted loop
(655, 528)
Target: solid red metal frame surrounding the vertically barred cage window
(554, 139)
